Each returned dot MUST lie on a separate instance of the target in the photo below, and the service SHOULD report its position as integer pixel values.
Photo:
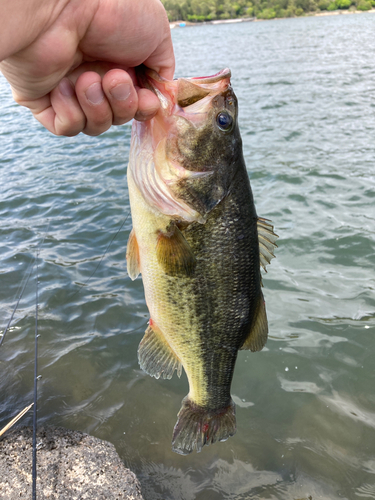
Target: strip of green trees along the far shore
(210, 10)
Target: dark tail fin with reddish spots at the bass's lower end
(197, 426)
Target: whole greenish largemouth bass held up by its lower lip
(199, 244)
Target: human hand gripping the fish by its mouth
(74, 65)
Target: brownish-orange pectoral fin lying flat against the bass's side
(174, 253)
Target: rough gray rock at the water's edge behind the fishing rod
(71, 465)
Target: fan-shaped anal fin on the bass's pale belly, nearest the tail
(155, 356)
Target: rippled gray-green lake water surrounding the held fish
(306, 403)
